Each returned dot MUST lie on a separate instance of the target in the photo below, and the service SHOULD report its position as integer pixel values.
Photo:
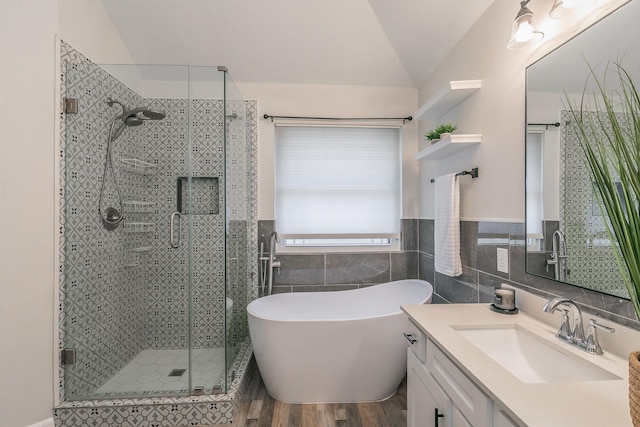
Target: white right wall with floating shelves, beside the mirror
(496, 110)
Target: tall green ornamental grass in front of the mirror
(607, 124)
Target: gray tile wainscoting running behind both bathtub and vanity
(479, 241)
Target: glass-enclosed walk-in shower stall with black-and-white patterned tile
(158, 234)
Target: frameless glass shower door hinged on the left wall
(125, 310)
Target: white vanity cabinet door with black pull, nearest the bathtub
(425, 397)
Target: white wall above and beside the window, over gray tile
(331, 101)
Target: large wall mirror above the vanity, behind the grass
(566, 236)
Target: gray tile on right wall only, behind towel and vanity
(479, 241)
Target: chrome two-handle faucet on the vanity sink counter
(574, 335)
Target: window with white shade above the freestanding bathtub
(338, 186)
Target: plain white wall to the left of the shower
(27, 31)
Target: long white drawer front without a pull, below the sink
(466, 396)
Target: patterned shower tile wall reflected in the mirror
(591, 260)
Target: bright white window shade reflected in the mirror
(534, 184)
